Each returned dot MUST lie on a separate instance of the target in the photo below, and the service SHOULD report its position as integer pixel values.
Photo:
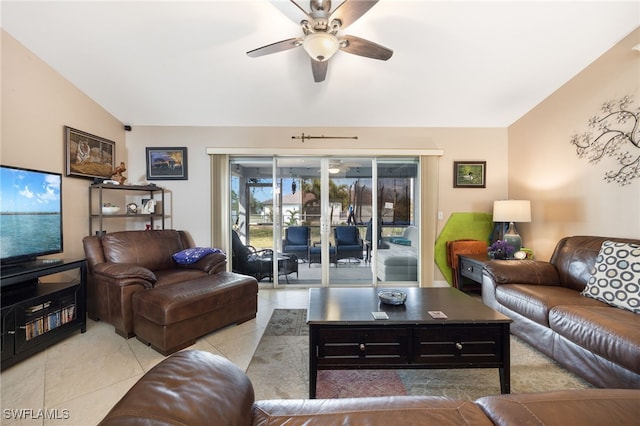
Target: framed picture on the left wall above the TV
(88, 156)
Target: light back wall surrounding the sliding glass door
(190, 207)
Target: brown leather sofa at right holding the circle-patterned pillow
(597, 341)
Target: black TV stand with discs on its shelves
(38, 314)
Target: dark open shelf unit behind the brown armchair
(147, 191)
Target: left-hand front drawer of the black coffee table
(362, 346)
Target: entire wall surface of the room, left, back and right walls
(568, 195)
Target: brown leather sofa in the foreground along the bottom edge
(198, 388)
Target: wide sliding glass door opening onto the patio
(321, 213)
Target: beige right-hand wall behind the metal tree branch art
(568, 195)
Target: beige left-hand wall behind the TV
(36, 105)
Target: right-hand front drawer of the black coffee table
(458, 345)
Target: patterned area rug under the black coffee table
(280, 369)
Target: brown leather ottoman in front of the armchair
(171, 318)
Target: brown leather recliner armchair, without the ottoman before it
(124, 263)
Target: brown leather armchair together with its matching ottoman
(135, 284)
